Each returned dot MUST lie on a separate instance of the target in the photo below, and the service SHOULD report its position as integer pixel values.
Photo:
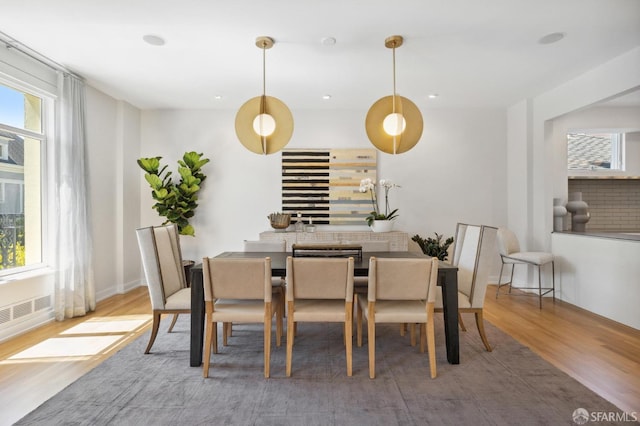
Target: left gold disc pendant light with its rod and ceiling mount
(264, 124)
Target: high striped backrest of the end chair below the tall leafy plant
(161, 261)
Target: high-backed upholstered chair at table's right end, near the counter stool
(473, 254)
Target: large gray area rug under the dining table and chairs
(509, 386)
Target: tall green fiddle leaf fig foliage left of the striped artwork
(175, 201)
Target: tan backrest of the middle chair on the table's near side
(320, 278)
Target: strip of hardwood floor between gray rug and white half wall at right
(601, 354)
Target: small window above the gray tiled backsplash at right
(595, 151)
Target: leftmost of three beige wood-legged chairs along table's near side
(239, 291)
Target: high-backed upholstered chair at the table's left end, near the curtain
(164, 273)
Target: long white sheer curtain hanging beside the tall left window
(70, 220)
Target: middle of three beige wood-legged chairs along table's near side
(320, 290)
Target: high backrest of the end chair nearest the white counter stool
(473, 255)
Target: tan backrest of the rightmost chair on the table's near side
(402, 279)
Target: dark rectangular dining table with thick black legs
(447, 280)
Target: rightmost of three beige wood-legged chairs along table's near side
(400, 291)
